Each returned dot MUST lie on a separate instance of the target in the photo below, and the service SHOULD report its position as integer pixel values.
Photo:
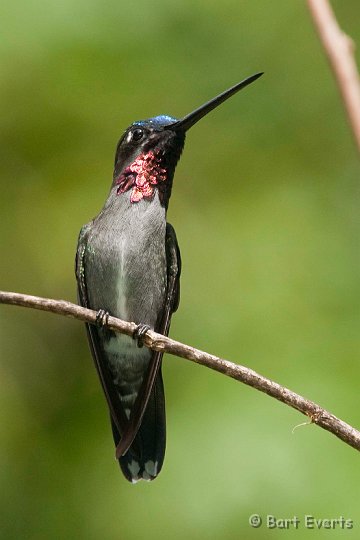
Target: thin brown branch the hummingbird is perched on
(158, 342)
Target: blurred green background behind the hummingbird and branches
(265, 205)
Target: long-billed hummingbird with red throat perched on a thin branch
(128, 265)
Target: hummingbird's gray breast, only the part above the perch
(126, 261)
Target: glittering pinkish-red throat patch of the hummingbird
(142, 176)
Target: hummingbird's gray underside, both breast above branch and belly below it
(125, 266)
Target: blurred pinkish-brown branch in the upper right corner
(340, 51)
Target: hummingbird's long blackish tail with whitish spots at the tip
(144, 459)
